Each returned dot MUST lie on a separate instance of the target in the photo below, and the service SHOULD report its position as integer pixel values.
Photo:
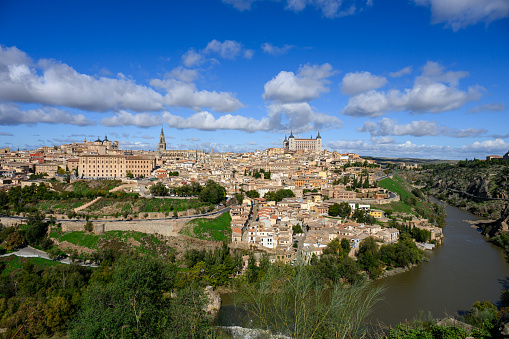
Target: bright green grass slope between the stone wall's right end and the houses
(209, 229)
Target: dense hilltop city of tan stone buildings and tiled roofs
(279, 199)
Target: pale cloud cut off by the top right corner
(458, 14)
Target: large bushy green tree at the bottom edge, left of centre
(137, 304)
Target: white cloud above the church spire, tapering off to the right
(185, 94)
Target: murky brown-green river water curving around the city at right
(465, 269)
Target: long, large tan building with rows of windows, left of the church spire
(115, 166)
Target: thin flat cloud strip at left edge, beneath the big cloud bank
(12, 115)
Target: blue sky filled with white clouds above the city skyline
(399, 78)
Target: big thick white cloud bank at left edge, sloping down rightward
(61, 85)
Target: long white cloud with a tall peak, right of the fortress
(434, 91)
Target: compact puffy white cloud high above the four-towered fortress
(307, 84)
